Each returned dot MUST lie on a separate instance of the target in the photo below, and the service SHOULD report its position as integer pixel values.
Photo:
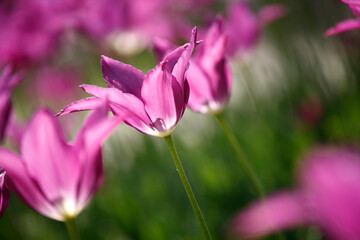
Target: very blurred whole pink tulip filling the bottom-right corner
(328, 197)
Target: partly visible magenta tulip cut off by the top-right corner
(348, 24)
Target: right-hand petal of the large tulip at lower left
(88, 143)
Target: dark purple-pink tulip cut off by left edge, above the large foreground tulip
(7, 83)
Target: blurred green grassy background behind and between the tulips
(298, 89)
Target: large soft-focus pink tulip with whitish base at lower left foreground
(55, 177)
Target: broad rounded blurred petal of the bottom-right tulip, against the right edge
(332, 178)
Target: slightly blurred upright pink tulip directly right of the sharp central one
(209, 75)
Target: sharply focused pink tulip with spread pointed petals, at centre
(155, 102)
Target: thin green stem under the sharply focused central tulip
(187, 187)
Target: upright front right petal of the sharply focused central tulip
(164, 99)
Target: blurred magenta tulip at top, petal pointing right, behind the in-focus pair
(244, 27)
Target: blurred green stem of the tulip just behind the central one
(239, 153)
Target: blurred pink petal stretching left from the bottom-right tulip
(275, 213)
